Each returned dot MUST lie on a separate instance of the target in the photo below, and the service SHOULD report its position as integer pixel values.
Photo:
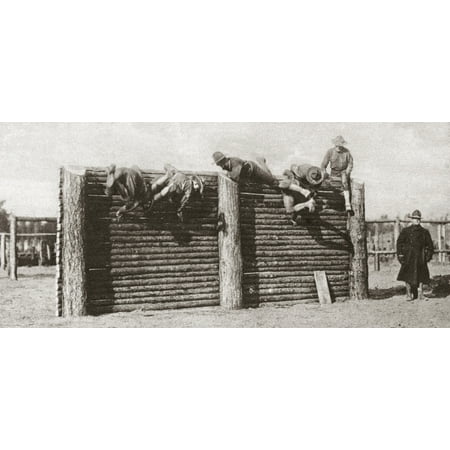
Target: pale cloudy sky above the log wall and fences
(404, 166)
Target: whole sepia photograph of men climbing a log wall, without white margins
(244, 224)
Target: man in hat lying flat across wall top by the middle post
(240, 170)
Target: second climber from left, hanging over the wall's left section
(177, 187)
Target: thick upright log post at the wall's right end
(359, 273)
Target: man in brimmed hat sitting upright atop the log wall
(341, 163)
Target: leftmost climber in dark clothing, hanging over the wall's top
(131, 186)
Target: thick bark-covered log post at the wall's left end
(73, 263)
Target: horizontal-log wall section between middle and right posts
(280, 259)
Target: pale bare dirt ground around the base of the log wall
(29, 302)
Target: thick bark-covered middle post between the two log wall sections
(230, 255)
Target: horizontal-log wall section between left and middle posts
(150, 263)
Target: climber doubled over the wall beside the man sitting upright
(300, 181)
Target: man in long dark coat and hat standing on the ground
(414, 250)
